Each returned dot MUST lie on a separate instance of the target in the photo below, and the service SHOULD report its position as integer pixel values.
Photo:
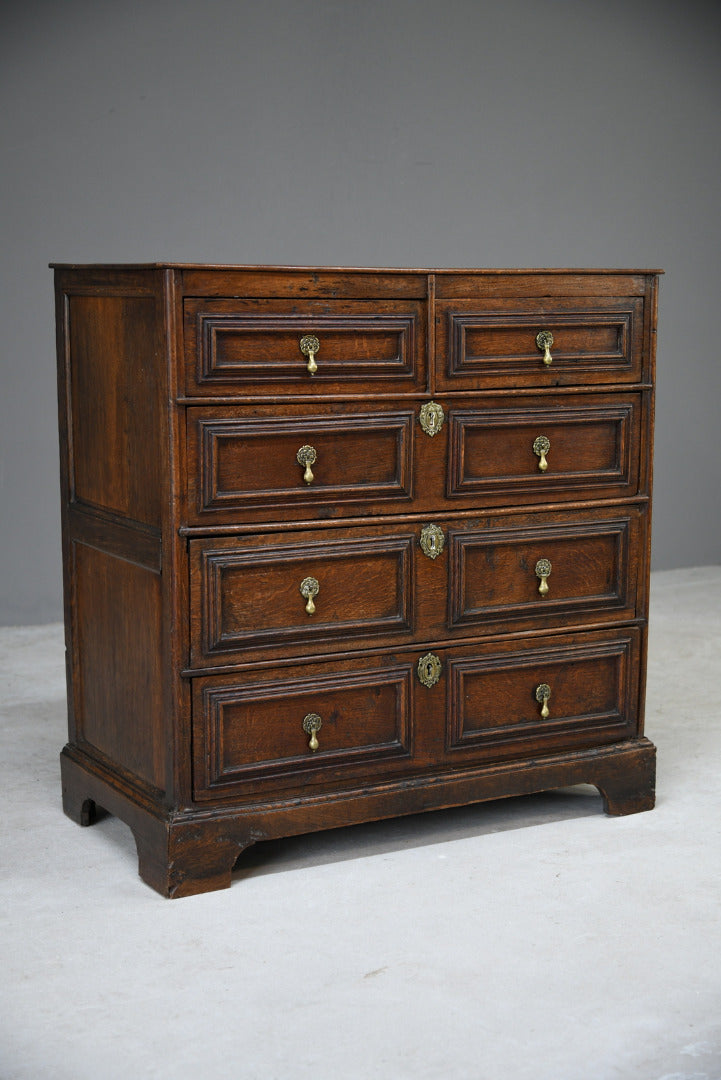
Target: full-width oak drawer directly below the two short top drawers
(330, 462)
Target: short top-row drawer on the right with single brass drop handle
(499, 345)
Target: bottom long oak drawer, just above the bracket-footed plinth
(413, 713)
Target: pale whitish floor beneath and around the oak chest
(534, 939)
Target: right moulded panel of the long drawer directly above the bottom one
(563, 569)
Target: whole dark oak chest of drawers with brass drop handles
(345, 545)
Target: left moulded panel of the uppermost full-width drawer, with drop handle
(317, 463)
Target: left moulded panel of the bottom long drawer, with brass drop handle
(249, 732)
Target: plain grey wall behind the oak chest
(432, 133)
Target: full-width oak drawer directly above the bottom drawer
(387, 585)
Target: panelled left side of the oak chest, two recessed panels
(112, 389)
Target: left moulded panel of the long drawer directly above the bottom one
(301, 592)
